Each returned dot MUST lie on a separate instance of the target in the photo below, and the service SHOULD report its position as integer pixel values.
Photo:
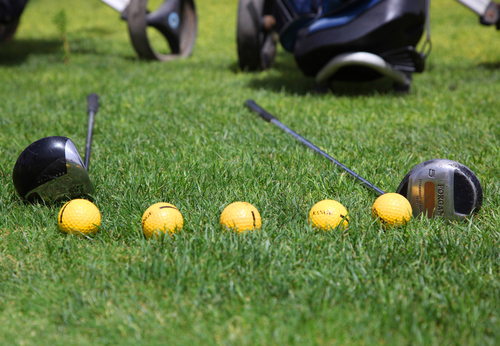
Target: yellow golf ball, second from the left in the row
(161, 217)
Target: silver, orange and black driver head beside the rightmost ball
(442, 188)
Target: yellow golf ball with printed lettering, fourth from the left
(328, 214)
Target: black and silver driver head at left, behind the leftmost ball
(51, 170)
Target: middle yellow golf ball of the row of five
(240, 217)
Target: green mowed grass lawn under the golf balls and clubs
(178, 132)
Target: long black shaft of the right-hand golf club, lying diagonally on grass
(272, 119)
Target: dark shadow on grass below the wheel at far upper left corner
(15, 52)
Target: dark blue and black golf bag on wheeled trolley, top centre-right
(346, 40)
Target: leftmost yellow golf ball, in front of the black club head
(79, 216)
